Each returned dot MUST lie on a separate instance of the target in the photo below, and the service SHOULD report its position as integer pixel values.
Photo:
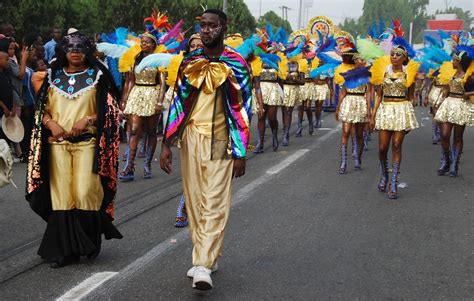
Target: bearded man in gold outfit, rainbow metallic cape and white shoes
(210, 119)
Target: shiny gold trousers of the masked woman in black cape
(72, 182)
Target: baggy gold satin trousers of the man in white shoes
(207, 191)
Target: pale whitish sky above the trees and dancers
(337, 10)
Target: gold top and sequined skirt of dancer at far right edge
(454, 109)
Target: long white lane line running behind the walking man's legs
(110, 279)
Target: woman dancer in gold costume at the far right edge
(453, 115)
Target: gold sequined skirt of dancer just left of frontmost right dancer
(353, 109)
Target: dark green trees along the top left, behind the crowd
(93, 16)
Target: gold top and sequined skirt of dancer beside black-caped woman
(144, 94)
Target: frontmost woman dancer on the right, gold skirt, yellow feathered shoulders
(393, 114)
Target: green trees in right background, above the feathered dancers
(405, 10)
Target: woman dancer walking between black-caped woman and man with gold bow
(142, 102)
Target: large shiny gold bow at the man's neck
(211, 74)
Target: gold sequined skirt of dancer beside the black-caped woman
(142, 101)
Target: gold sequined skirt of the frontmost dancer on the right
(396, 116)
